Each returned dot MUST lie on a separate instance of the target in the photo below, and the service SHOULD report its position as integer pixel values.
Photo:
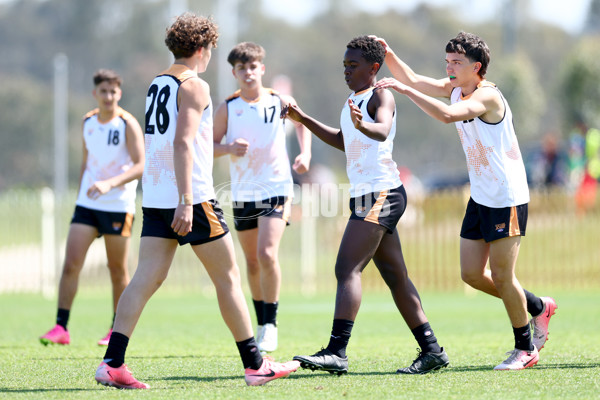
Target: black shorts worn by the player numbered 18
(106, 222)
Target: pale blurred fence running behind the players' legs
(560, 250)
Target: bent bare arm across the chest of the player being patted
(381, 106)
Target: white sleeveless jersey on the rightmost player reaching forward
(496, 169)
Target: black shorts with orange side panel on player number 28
(208, 224)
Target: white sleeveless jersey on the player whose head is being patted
(369, 163)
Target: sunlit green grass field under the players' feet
(183, 350)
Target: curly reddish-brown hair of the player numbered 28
(189, 33)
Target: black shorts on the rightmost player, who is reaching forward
(491, 224)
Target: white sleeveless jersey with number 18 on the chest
(108, 156)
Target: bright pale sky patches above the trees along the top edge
(567, 14)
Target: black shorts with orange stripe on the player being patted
(383, 208)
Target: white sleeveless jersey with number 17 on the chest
(264, 171)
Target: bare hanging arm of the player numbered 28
(193, 98)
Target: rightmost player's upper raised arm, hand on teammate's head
(405, 74)
